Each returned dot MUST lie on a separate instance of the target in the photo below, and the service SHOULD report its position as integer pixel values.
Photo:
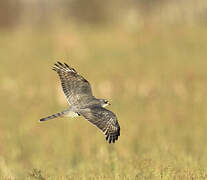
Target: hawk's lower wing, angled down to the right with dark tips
(105, 120)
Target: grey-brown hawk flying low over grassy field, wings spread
(82, 103)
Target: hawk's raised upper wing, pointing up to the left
(74, 86)
